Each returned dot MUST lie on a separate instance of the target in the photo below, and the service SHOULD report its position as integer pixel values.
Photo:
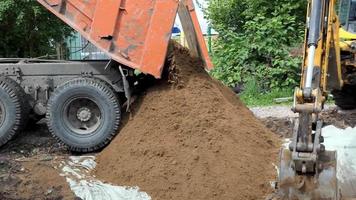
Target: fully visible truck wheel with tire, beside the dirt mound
(84, 114)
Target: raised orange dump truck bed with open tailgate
(135, 33)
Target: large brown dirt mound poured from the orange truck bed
(191, 139)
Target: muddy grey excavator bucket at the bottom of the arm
(323, 186)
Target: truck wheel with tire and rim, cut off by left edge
(13, 111)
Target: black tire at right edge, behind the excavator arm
(345, 98)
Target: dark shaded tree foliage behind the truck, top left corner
(28, 30)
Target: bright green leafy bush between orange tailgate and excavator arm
(255, 38)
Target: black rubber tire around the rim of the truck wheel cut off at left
(17, 98)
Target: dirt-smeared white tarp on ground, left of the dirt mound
(77, 173)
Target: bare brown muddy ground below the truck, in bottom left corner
(27, 167)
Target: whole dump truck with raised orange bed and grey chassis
(82, 101)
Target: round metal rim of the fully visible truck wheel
(82, 115)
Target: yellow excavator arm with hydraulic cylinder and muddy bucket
(307, 169)
